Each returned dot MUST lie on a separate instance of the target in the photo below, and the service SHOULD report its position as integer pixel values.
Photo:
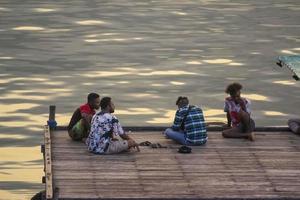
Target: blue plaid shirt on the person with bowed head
(194, 125)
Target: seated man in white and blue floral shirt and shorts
(104, 128)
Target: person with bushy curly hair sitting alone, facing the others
(237, 108)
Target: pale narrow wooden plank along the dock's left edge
(48, 163)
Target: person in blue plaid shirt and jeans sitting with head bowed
(189, 125)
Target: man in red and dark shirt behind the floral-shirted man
(80, 122)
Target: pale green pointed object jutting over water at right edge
(291, 62)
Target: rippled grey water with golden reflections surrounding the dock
(142, 53)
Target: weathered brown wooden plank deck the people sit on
(223, 168)
